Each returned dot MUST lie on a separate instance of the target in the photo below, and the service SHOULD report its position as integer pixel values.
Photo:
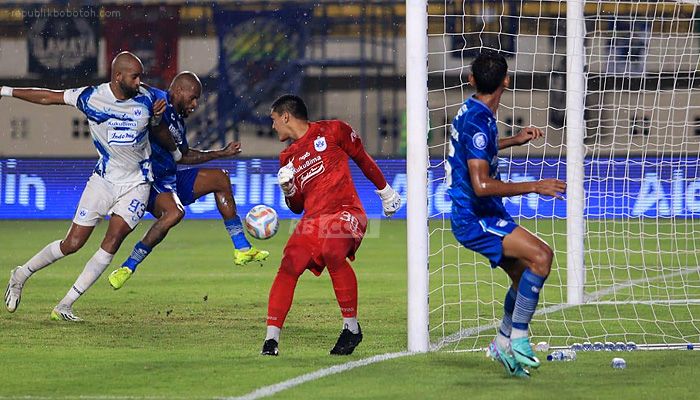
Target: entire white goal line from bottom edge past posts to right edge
(336, 369)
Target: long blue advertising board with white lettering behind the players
(615, 188)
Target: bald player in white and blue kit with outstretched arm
(119, 113)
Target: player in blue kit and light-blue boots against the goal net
(481, 223)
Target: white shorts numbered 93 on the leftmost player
(101, 198)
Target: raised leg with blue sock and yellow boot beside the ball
(217, 181)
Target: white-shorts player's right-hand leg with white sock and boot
(117, 230)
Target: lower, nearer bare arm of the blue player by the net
(485, 186)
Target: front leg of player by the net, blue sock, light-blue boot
(537, 257)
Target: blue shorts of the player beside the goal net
(484, 235)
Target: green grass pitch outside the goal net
(189, 325)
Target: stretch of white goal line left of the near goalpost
(312, 376)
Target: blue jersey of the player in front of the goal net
(474, 136)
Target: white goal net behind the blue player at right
(641, 170)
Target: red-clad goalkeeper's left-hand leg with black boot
(295, 260)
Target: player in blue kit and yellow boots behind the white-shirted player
(173, 189)
